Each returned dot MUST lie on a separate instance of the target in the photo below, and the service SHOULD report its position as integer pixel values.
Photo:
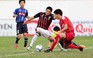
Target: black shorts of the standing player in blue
(21, 28)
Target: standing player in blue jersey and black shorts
(21, 14)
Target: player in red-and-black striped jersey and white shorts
(44, 21)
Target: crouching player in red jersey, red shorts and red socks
(66, 33)
